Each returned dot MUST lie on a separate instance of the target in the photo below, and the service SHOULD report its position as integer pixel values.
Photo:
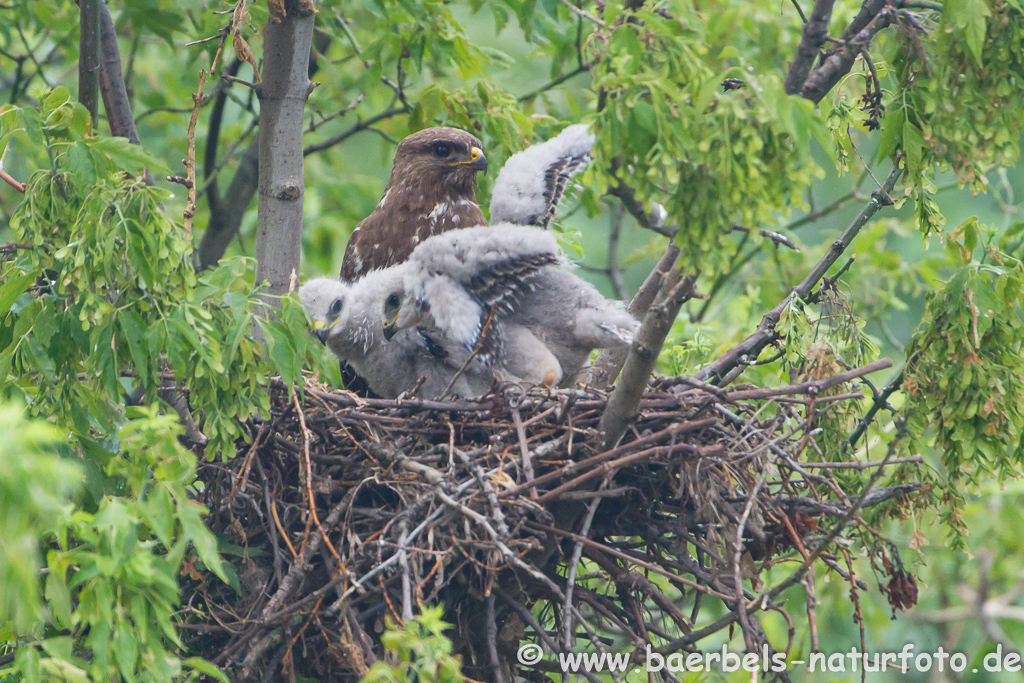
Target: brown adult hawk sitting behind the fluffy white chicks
(432, 191)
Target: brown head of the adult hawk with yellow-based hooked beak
(440, 156)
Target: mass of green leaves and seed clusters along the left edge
(117, 311)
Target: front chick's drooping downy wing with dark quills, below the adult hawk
(470, 280)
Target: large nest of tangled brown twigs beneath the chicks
(346, 513)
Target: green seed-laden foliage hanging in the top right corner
(958, 104)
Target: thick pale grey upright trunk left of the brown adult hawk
(283, 96)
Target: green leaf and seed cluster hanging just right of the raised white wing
(713, 158)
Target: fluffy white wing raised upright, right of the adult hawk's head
(532, 183)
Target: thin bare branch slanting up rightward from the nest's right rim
(752, 347)
